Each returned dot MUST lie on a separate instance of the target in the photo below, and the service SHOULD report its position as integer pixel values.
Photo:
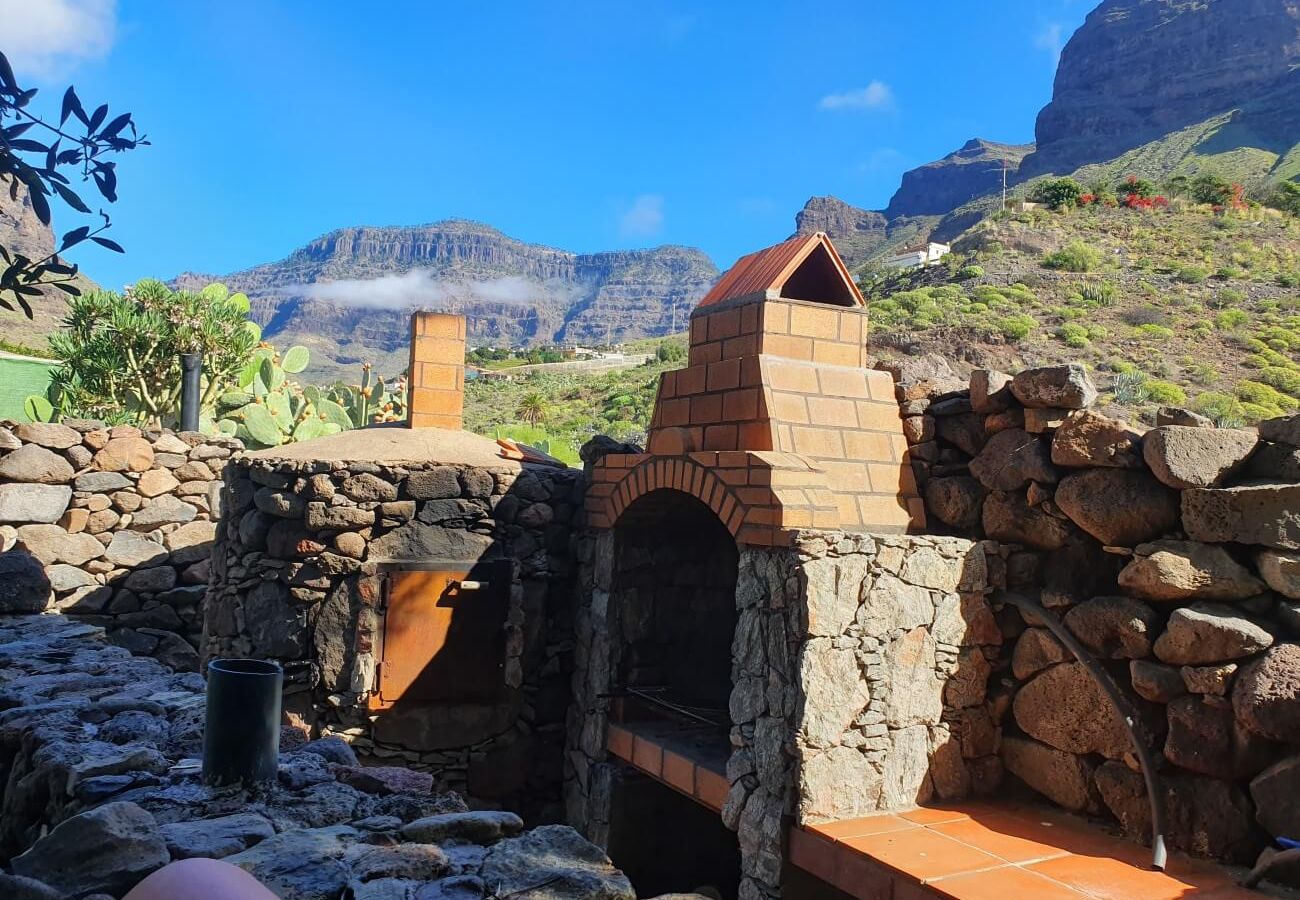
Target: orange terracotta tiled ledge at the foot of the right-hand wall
(995, 853)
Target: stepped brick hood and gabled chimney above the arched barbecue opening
(775, 423)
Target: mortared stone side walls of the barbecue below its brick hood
(860, 667)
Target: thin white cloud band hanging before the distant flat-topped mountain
(421, 288)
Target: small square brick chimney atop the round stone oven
(437, 375)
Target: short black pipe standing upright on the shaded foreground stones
(241, 738)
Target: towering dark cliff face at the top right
(1139, 70)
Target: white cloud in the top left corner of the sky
(49, 38)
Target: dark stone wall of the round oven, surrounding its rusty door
(298, 577)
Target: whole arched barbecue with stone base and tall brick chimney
(761, 639)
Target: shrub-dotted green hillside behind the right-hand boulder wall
(1181, 304)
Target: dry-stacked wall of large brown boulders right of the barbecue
(1172, 555)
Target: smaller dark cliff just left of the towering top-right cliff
(939, 188)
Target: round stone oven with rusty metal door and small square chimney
(415, 582)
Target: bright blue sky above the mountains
(580, 126)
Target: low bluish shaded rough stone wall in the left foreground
(98, 789)
